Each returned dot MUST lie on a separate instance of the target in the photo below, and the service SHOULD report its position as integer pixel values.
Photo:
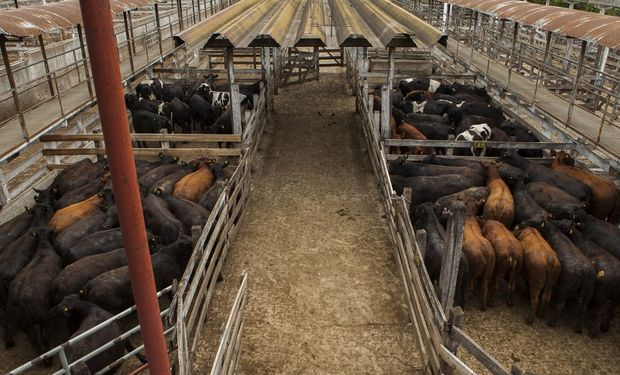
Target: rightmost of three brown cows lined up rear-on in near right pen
(541, 269)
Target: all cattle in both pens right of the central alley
(556, 228)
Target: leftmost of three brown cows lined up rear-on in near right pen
(480, 257)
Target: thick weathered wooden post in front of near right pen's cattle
(451, 255)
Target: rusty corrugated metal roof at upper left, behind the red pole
(41, 19)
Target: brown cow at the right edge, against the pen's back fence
(605, 195)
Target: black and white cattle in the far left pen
(203, 105)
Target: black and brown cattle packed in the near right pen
(554, 227)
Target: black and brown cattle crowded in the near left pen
(64, 258)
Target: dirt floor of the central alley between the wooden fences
(325, 292)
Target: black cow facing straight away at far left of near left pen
(30, 293)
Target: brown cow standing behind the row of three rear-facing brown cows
(500, 205)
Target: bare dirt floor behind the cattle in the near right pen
(541, 349)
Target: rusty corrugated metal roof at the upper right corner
(592, 27)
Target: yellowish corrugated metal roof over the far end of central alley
(294, 23)
